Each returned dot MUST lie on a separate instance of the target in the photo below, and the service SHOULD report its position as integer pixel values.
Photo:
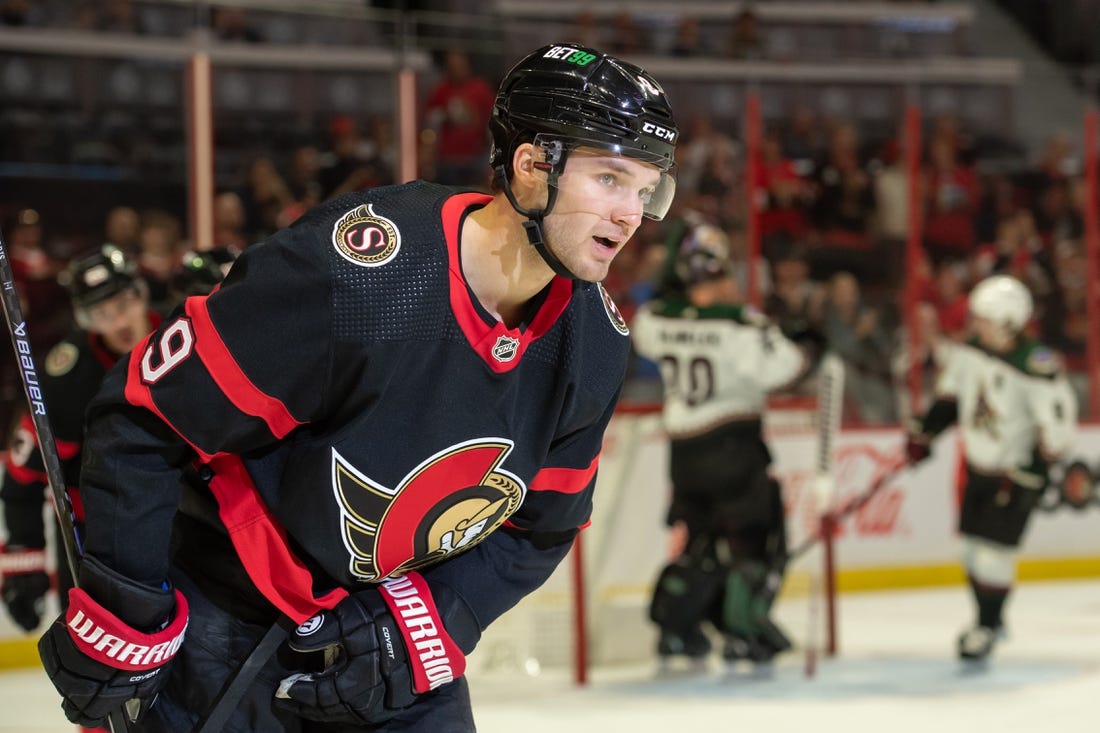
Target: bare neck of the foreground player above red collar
(502, 269)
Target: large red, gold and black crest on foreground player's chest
(447, 505)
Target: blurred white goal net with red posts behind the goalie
(593, 612)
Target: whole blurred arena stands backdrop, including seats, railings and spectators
(94, 146)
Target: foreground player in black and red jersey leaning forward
(398, 407)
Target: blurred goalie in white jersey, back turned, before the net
(719, 362)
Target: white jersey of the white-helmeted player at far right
(1009, 404)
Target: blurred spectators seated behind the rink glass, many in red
(831, 201)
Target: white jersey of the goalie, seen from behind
(718, 364)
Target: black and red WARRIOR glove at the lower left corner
(100, 661)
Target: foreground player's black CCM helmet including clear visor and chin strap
(567, 96)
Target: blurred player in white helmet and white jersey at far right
(1017, 413)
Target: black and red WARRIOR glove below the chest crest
(380, 649)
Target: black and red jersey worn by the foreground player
(362, 415)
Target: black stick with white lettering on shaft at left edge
(56, 479)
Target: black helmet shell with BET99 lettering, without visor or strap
(580, 94)
